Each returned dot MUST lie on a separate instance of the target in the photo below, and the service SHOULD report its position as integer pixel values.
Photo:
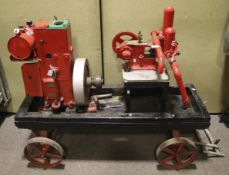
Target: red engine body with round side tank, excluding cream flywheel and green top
(51, 77)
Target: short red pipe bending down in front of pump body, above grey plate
(159, 53)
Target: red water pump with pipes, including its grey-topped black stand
(144, 61)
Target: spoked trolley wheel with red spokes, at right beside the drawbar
(176, 153)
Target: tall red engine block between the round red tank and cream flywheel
(56, 44)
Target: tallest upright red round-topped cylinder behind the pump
(168, 18)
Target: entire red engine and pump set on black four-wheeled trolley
(146, 103)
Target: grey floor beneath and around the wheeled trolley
(105, 154)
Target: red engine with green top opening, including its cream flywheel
(49, 71)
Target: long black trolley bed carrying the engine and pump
(116, 119)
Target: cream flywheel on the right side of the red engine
(80, 86)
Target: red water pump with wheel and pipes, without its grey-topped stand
(150, 55)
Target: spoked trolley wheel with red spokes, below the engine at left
(43, 152)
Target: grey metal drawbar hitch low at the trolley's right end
(210, 148)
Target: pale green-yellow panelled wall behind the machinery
(200, 26)
